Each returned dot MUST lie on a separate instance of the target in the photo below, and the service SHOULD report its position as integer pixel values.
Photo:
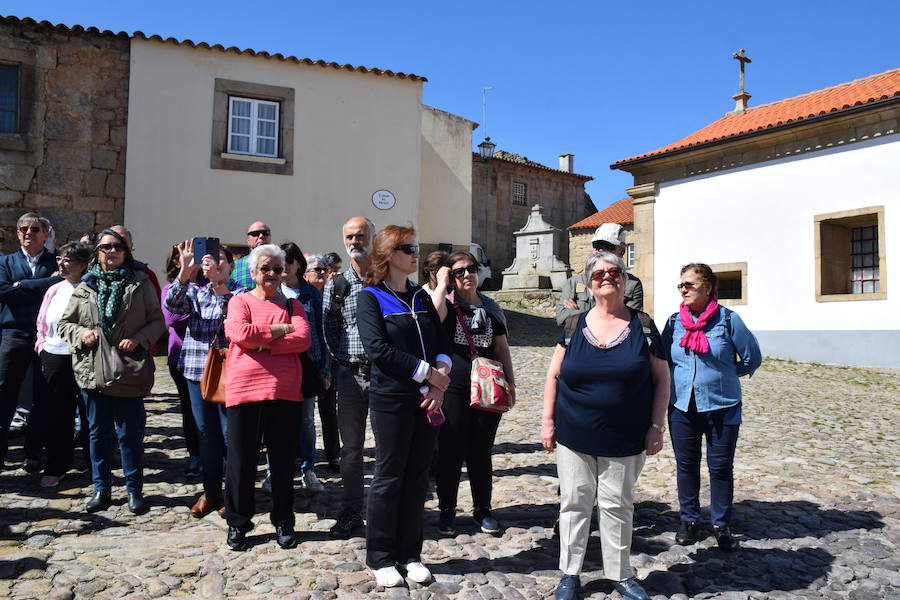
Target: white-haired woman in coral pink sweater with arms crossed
(262, 395)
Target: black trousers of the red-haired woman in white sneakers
(404, 443)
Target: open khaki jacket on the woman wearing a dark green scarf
(140, 319)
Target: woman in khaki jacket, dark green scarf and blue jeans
(127, 306)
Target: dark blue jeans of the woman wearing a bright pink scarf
(687, 430)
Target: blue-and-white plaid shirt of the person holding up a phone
(206, 311)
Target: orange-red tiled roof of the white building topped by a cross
(847, 108)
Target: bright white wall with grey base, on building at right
(763, 214)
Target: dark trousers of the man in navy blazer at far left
(16, 355)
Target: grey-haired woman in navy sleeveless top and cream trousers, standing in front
(604, 411)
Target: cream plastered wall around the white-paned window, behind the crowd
(354, 134)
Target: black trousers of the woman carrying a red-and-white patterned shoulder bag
(467, 435)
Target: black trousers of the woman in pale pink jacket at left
(51, 426)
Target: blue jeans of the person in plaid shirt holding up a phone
(212, 427)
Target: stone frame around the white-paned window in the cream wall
(220, 158)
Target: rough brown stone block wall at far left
(67, 160)
